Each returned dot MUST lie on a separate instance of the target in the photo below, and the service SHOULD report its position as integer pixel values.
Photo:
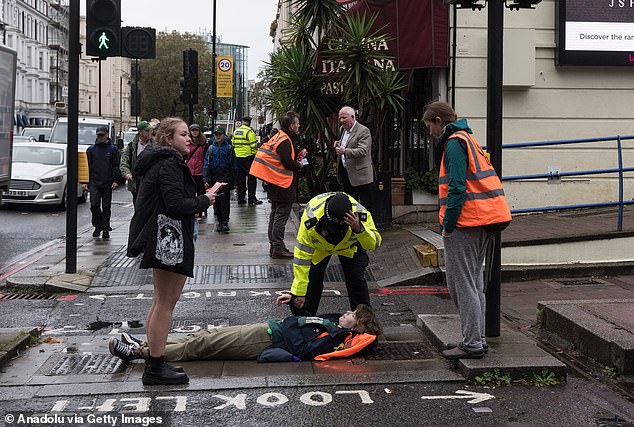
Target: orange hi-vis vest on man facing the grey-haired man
(267, 164)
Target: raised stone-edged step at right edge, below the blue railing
(601, 329)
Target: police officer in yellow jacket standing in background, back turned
(245, 144)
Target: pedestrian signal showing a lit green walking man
(103, 28)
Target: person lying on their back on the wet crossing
(295, 338)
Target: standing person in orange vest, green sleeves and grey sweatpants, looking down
(472, 206)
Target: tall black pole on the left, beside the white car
(72, 137)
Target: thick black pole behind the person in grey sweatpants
(495, 37)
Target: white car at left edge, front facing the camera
(38, 175)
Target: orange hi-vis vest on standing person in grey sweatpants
(484, 203)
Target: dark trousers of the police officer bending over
(357, 286)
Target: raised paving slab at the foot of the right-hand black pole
(511, 352)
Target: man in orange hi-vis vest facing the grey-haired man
(276, 163)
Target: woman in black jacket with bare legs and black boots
(162, 228)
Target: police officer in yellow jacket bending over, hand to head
(332, 224)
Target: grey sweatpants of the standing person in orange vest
(465, 251)
